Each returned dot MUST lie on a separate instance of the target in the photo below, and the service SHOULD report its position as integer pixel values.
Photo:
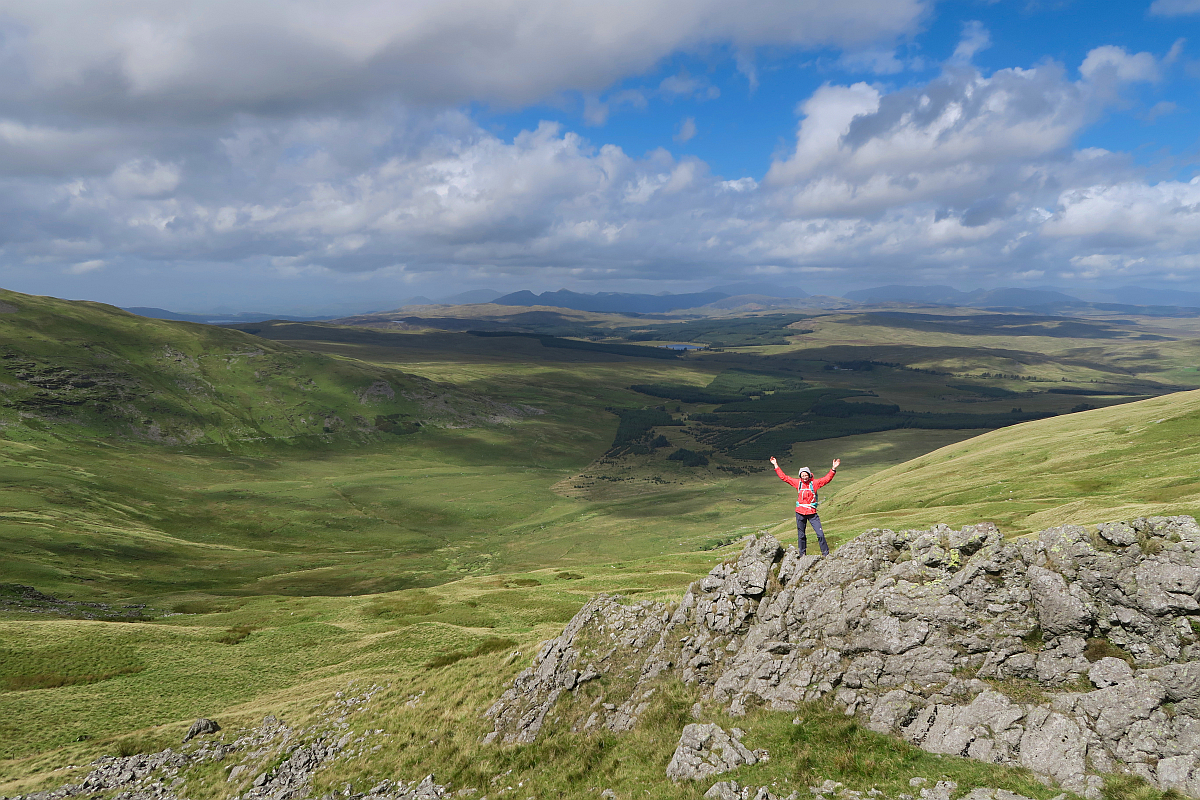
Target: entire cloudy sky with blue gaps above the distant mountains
(310, 157)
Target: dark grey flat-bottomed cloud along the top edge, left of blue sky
(208, 58)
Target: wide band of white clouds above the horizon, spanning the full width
(969, 175)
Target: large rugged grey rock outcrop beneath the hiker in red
(926, 635)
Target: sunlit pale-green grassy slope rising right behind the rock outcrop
(1115, 464)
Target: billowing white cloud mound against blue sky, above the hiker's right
(965, 142)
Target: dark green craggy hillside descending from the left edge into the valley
(79, 370)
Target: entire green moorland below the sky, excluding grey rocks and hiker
(278, 510)
